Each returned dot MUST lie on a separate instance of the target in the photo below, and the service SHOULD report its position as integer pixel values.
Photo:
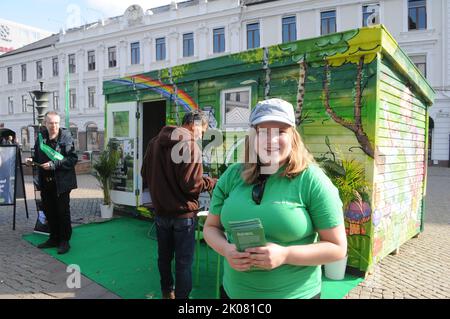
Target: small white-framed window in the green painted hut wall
(236, 107)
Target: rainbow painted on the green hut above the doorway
(166, 90)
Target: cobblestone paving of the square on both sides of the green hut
(420, 270)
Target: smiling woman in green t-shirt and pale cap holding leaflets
(298, 207)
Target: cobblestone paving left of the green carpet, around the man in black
(28, 273)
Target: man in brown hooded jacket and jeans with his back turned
(174, 173)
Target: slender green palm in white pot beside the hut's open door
(104, 168)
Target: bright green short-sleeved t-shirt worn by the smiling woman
(291, 212)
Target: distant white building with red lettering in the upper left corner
(14, 35)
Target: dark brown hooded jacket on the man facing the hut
(173, 170)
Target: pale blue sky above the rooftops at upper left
(52, 15)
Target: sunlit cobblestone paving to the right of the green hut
(422, 268)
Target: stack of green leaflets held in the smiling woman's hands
(247, 234)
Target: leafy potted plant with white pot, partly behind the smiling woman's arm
(348, 176)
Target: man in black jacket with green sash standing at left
(56, 157)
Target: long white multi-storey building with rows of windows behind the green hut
(144, 40)
